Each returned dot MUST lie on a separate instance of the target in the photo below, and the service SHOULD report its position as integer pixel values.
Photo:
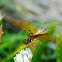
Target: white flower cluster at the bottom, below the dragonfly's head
(24, 56)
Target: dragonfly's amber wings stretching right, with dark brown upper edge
(44, 36)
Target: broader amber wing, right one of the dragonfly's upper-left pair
(29, 26)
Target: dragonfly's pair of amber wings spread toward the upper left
(25, 26)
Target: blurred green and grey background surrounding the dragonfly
(47, 13)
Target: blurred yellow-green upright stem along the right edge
(59, 48)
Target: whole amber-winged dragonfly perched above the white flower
(32, 31)
